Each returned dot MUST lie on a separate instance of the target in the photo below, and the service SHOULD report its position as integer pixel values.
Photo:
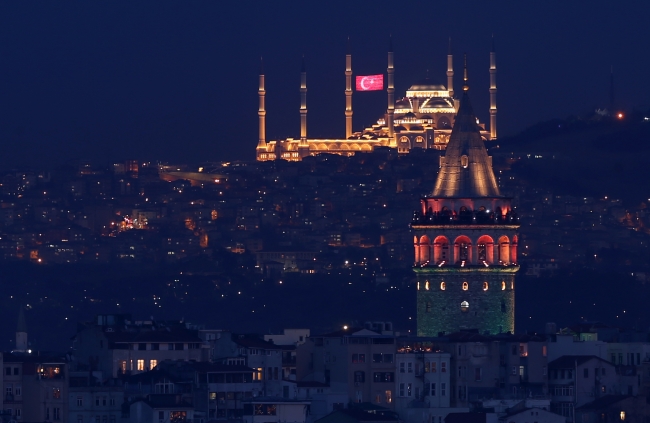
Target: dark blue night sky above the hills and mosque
(177, 80)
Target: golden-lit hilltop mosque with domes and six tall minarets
(423, 118)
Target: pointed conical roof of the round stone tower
(466, 170)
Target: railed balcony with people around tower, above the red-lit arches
(465, 217)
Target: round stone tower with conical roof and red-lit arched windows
(465, 240)
